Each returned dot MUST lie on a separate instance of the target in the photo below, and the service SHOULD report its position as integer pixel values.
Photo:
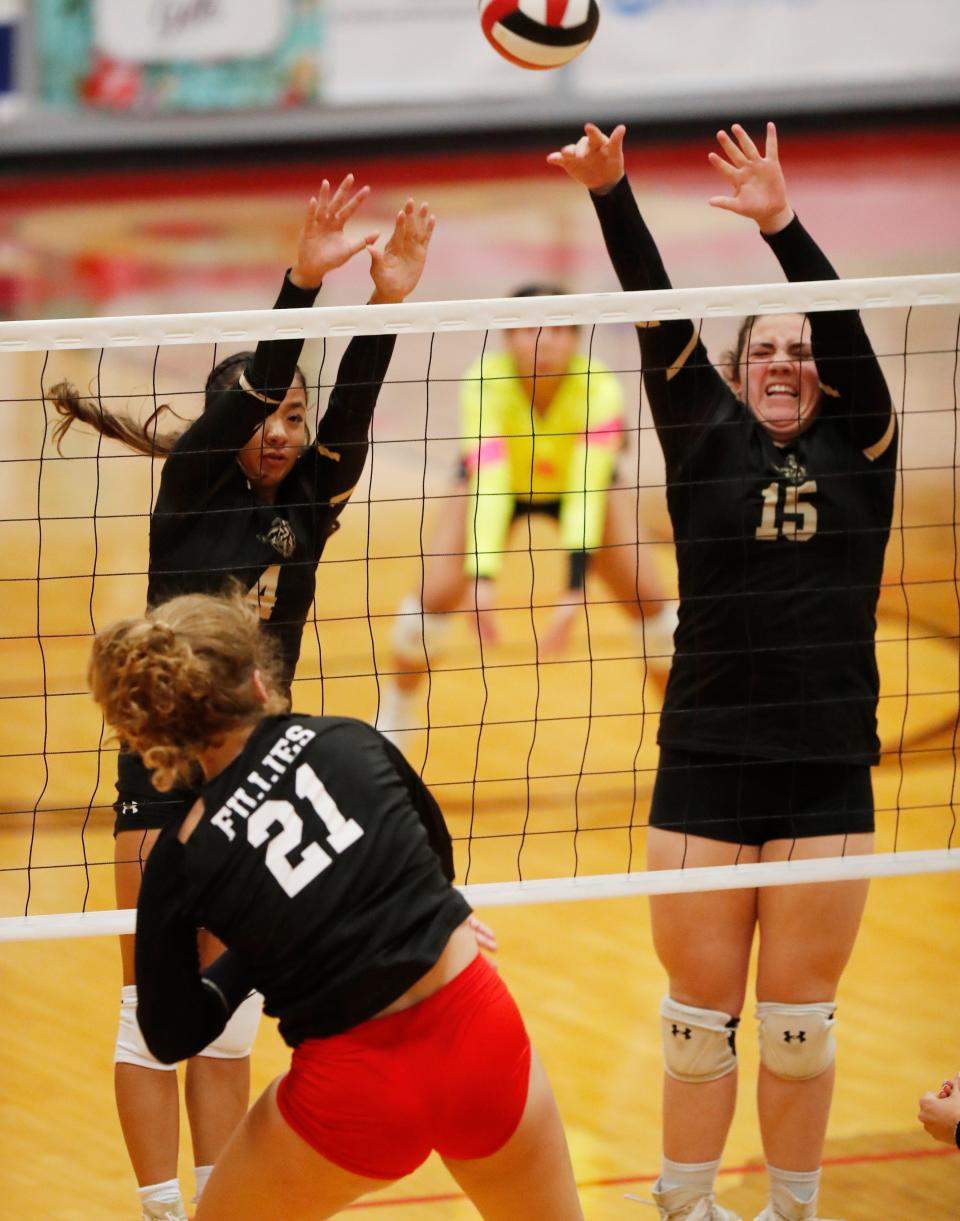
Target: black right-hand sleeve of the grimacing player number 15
(851, 375)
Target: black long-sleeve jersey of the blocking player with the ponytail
(208, 526)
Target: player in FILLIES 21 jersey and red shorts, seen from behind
(319, 859)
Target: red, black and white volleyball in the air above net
(539, 34)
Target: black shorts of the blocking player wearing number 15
(751, 802)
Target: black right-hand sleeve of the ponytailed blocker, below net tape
(336, 461)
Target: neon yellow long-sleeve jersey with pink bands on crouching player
(514, 452)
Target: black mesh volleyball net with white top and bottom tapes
(542, 760)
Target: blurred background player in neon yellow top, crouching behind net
(543, 427)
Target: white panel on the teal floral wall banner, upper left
(156, 31)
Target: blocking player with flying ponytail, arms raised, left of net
(246, 496)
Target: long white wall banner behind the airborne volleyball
(666, 57)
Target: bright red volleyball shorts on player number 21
(450, 1074)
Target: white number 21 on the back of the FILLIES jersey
(263, 824)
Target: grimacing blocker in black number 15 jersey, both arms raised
(780, 487)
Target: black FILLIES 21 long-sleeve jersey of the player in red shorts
(324, 865)
